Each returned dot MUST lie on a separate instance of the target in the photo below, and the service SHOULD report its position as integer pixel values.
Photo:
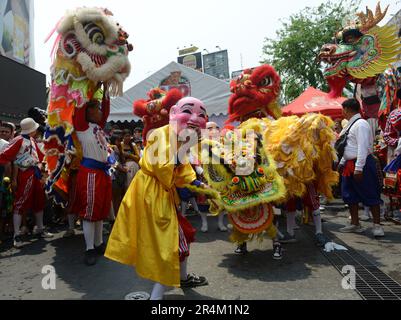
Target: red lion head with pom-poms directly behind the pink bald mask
(155, 111)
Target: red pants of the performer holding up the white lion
(93, 194)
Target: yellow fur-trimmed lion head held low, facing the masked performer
(246, 178)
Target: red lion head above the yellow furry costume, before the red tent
(255, 94)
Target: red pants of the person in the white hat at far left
(30, 194)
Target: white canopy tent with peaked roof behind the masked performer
(213, 92)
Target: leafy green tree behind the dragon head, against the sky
(294, 51)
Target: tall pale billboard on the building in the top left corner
(16, 30)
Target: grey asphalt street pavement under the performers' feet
(303, 273)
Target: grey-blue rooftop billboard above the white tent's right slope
(216, 64)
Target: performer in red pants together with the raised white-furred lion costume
(90, 52)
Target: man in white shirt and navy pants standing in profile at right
(360, 179)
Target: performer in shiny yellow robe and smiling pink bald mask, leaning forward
(148, 233)
